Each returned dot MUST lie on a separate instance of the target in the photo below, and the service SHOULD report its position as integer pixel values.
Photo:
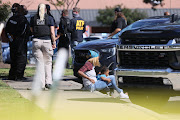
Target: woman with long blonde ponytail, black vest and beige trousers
(42, 27)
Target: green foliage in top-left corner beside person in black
(4, 10)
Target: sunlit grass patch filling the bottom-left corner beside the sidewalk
(14, 107)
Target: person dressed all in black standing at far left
(17, 30)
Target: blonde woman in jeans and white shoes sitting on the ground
(90, 82)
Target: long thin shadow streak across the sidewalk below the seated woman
(106, 100)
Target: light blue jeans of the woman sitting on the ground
(99, 85)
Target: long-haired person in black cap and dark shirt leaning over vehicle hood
(119, 23)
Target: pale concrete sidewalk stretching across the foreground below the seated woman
(72, 103)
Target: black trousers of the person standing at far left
(18, 55)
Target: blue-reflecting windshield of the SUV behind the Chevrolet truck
(142, 23)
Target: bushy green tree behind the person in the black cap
(106, 16)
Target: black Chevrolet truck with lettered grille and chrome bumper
(149, 59)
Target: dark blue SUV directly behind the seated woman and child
(106, 48)
